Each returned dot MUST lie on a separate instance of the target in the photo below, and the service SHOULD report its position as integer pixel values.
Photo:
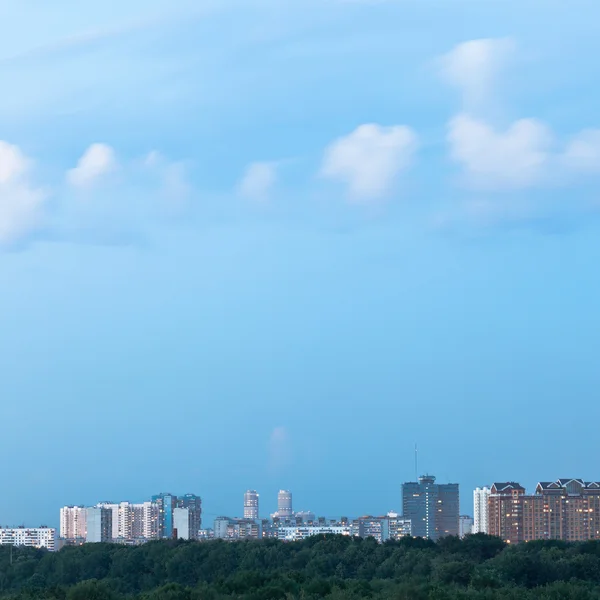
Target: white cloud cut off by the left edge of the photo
(21, 203)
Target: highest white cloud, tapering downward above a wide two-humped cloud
(473, 67)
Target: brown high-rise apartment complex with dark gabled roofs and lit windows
(565, 509)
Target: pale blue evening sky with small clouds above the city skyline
(263, 244)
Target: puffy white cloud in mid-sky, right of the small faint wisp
(369, 159)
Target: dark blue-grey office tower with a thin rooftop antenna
(432, 508)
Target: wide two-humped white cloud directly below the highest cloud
(516, 157)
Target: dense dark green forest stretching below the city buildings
(334, 567)
